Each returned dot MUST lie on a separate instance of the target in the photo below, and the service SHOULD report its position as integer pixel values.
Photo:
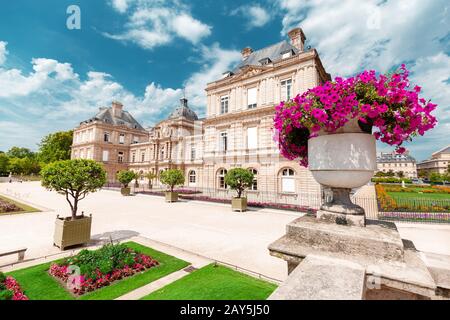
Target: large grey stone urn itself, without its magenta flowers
(341, 161)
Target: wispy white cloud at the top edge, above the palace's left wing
(153, 23)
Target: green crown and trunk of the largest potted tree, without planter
(73, 178)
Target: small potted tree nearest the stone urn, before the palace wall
(239, 179)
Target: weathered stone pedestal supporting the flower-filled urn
(392, 268)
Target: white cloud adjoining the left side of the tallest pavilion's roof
(215, 62)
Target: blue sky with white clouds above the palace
(143, 52)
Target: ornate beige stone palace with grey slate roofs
(236, 132)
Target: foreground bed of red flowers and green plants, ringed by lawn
(92, 270)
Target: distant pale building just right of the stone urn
(397, 163)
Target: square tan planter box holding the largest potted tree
(70, 232)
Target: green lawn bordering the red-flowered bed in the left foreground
(39, 285)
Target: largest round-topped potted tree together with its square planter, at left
(74, 179)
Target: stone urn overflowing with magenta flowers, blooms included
(332, 129)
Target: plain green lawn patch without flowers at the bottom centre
(214, 283)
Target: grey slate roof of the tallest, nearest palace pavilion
(273, 52)
